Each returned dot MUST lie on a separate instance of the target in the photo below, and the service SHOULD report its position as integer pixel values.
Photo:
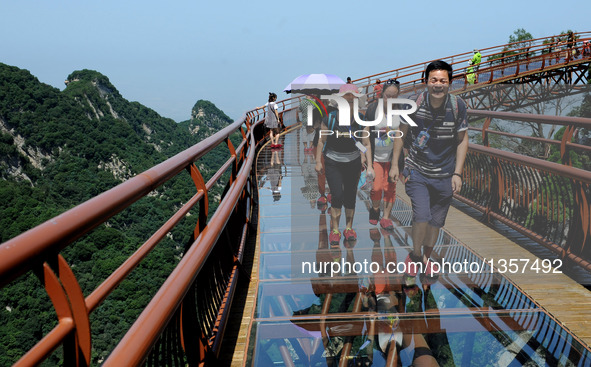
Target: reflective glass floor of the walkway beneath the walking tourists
(352, 305)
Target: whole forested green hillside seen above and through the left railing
(61, 148)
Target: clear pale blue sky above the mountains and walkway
(167, 55)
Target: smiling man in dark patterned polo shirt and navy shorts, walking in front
(433, 167)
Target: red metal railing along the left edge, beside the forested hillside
(39, 248)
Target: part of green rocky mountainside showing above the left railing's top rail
(68, 146)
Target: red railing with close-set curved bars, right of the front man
(548, 202)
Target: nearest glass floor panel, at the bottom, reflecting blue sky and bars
(518, 338)
